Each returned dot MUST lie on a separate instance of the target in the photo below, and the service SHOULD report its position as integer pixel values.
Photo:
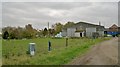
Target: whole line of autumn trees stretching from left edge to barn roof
(29, 32)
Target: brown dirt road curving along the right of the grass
(105, 53)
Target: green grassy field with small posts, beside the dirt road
(15, 51)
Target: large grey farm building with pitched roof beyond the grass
(83, 29)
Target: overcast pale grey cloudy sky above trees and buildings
(40, 13)
